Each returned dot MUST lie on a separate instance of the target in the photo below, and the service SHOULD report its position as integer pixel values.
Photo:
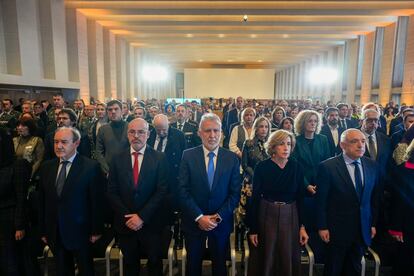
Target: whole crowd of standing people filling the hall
(281, 174)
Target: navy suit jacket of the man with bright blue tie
(195, 195)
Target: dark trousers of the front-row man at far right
(344, 260)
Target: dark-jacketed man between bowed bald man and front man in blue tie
(188, 127)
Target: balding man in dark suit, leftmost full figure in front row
(71, 201)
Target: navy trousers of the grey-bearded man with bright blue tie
(218, 246)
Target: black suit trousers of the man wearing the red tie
(142, 244)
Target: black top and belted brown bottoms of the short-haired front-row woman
(275, 215)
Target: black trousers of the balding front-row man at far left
(64, 259)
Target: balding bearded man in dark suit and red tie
(137, 186)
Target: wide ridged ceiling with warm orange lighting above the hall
(204, 33)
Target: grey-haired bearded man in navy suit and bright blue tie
(209, 191)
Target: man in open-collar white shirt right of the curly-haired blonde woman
(332, 130)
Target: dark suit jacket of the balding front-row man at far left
(77, 213)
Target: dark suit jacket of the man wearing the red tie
(146, 199)
